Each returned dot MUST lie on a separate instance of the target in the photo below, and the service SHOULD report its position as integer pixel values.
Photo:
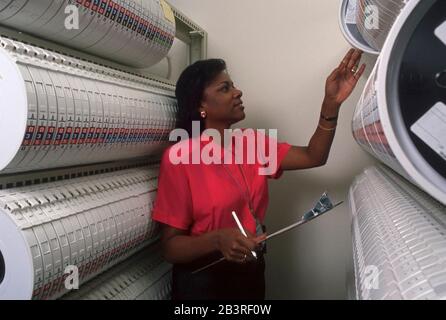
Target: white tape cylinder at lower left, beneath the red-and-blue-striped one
(46, 228)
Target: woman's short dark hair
(190, 89)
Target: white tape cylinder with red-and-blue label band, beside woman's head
(63, 112)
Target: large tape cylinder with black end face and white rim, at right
(400, 118)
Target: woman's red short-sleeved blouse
(201, 197)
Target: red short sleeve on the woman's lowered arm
(173, 203)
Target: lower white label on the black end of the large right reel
(431, 128)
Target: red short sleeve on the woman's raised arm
(281, 150)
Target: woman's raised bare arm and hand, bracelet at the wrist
(339, 85)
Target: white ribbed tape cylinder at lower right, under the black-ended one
(399, 232)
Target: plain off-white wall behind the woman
(279, 53)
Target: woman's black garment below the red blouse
(223, 281)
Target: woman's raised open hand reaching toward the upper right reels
(341, 82)
